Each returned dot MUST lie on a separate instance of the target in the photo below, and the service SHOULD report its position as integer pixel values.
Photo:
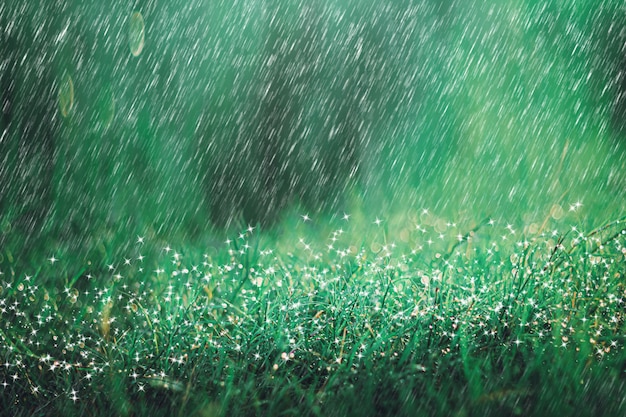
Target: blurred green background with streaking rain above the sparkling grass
(177, 119)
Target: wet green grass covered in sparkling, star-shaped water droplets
(447, 320)
